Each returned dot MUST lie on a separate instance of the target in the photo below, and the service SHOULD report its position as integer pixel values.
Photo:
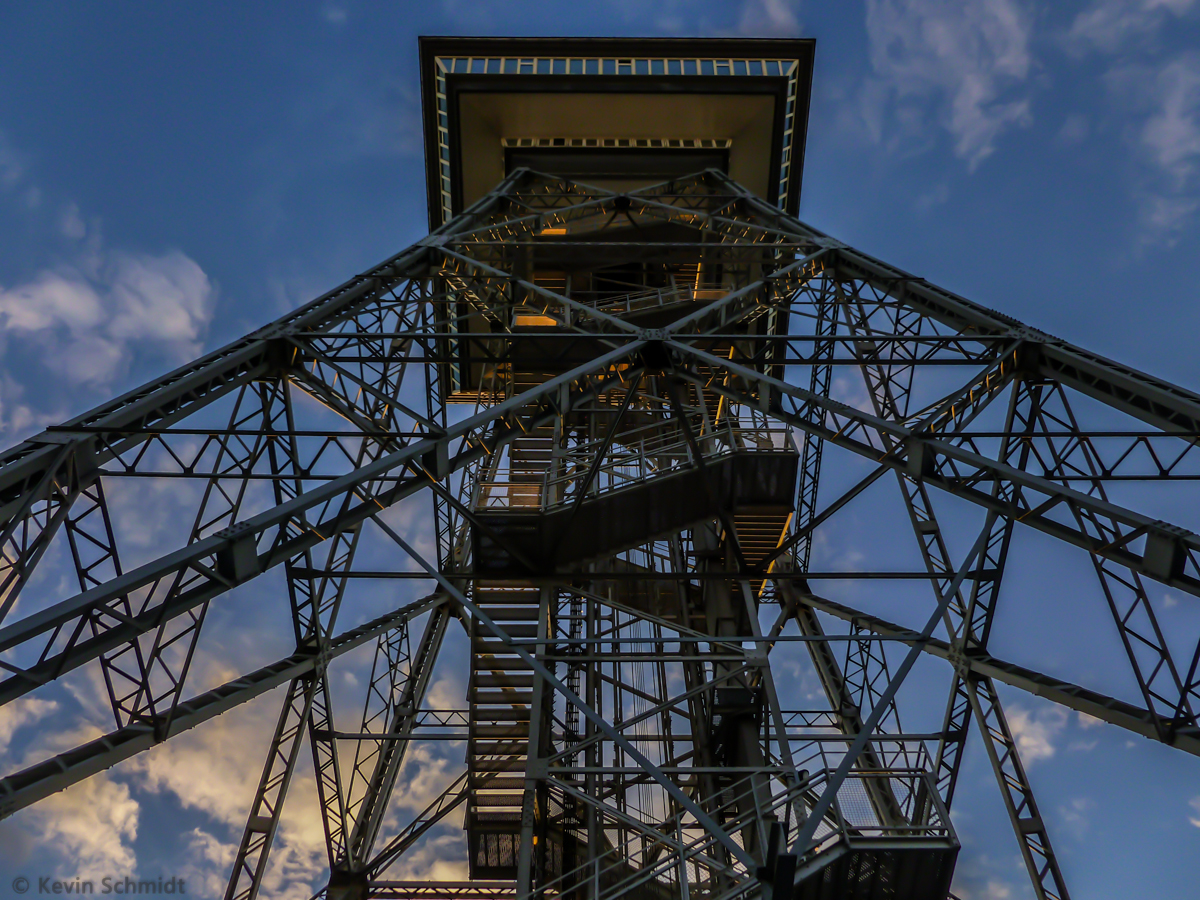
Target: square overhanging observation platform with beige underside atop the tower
(617, 113)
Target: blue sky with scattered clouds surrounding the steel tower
(173, 177)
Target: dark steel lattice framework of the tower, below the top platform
(418, 391)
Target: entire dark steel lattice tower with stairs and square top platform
(607, 383)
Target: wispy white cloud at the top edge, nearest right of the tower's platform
(963, 62)
